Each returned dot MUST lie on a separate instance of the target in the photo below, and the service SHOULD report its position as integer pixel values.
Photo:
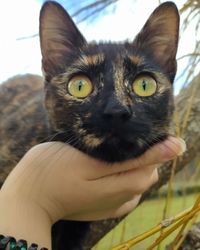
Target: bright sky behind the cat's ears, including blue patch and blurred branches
(114, 20)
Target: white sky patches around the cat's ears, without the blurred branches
(19, 18)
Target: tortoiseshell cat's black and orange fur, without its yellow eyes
(112, 123)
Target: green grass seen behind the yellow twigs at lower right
(142, 219)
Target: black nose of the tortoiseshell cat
(114, 111)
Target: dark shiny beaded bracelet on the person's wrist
(16, 245)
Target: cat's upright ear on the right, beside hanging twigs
(159, 37)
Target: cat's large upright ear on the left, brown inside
(59, 37)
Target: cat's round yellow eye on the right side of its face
(144, 86)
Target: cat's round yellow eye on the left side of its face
(80, 86)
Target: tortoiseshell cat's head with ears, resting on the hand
(110, 100)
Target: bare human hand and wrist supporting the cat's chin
(55, 181)
